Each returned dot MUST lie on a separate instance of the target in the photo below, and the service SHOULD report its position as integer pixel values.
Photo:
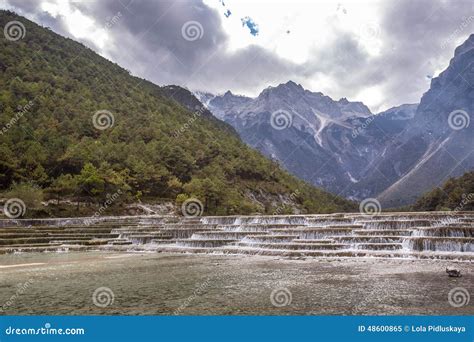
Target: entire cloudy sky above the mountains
(381, 52)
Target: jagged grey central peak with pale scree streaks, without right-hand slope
(325, 142)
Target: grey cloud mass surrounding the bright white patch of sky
(146, 37)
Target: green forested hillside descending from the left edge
(79, 126)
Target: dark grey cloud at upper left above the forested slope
(157, 25)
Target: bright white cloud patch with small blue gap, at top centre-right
(293, 29)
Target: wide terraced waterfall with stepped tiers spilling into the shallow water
(409, 235)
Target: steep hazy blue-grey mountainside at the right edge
(439, 143)
